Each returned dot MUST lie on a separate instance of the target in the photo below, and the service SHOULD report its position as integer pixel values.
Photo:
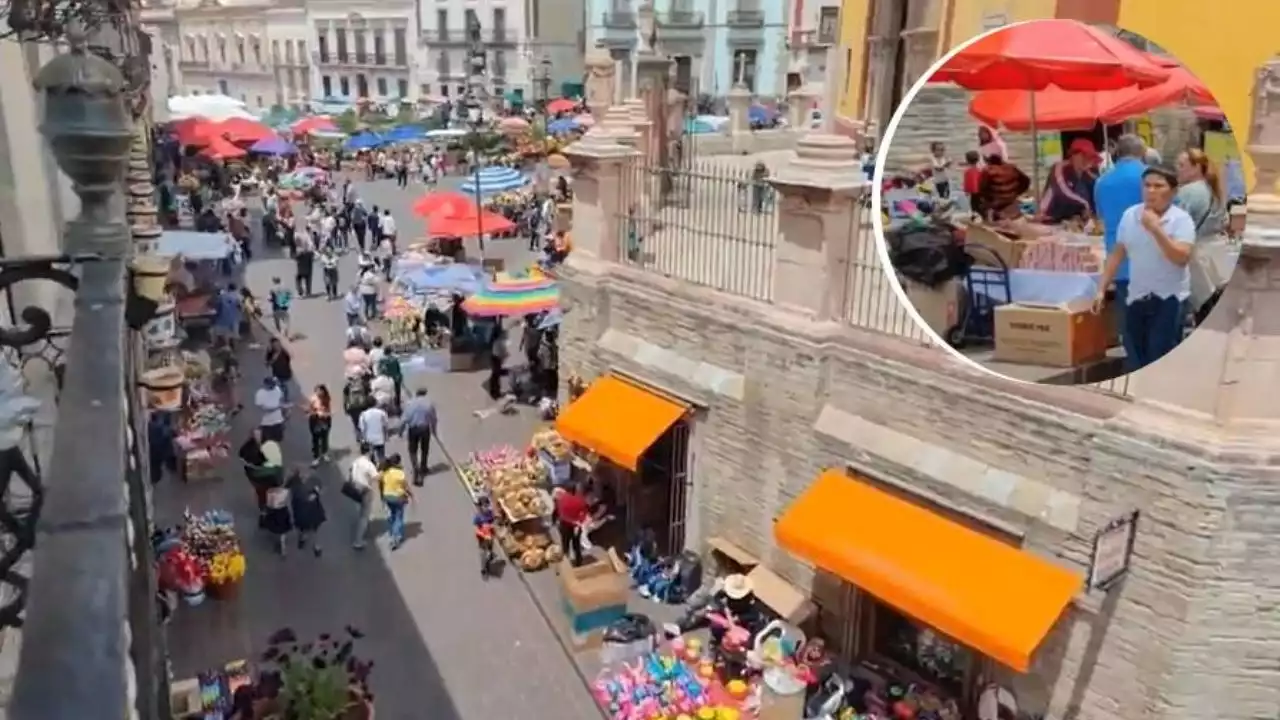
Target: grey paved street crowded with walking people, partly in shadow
(446, 644)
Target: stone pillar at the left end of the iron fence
(600, 186)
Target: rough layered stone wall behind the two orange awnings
(1185, 637)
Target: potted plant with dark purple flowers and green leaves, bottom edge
(323, 680)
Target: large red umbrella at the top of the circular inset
(1040, 54)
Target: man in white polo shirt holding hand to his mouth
(1156, 239)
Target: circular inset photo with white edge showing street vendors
(1060, 203)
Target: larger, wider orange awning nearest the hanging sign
(990, 596)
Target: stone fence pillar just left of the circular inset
(820, 222)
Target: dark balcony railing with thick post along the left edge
(80, 523)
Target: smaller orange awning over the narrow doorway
(619, 421)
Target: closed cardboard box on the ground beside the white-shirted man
(1057, 336)
